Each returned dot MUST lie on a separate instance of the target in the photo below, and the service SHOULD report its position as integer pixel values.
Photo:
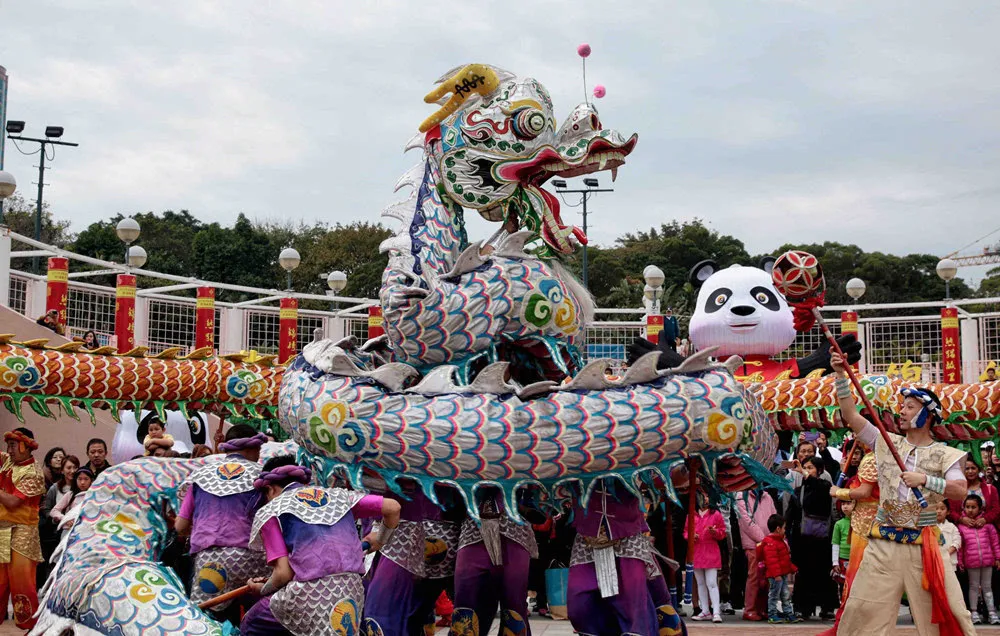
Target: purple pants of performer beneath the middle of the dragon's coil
(480, 586)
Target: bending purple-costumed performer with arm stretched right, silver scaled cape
(311, 541)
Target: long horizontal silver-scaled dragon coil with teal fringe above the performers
(471, 439)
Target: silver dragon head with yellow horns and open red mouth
(496, 142)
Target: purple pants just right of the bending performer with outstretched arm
(398, 602)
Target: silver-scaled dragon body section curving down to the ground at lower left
(109, 578)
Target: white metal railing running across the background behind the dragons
(164, 320)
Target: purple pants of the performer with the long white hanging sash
(631, 611)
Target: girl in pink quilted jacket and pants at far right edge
(979, 554)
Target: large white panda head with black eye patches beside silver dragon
(740, 311)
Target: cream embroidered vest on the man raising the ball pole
(933, 460)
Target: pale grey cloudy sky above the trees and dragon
(873, 122)
